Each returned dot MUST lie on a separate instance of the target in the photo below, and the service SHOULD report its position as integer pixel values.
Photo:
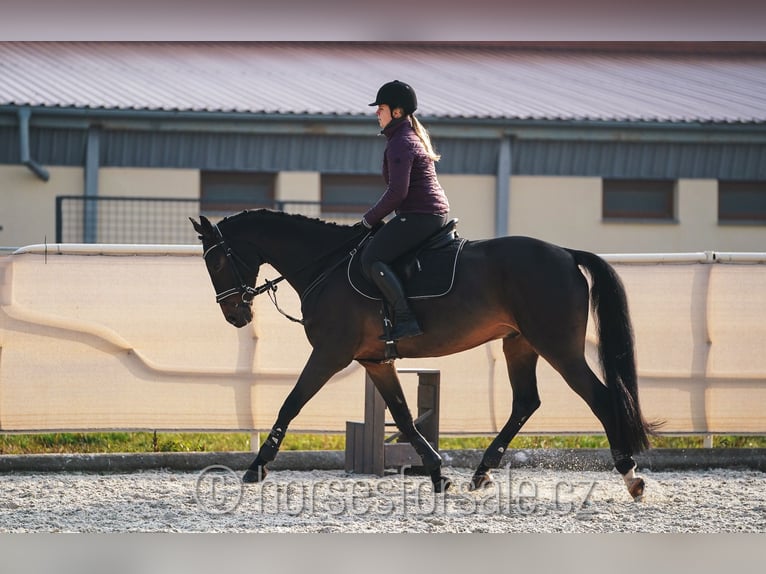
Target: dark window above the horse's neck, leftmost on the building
(223, 193)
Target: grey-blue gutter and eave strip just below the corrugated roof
(360, 125)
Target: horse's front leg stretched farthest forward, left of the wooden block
(318, 370)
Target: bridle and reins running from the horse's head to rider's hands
(248, 293)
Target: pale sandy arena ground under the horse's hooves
(522, 500)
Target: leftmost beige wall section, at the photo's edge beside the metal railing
(28, 204)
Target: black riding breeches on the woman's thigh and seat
(403, 233)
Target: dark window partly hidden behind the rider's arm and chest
(350, 194)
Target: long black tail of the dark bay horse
(616, 348)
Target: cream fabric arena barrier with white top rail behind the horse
(124, 337)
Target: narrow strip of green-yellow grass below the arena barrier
(128, 442)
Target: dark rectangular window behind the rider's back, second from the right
(638, 199)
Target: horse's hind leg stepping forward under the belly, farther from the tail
(521, 360)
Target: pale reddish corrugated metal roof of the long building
(502, 81)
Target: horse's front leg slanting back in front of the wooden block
(386, 380)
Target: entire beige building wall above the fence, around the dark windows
(563, 210)
